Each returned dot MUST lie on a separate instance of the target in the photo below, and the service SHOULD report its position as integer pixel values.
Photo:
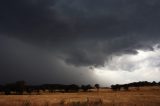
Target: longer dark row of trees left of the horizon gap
(20, 87)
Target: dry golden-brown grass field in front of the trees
(146, 96)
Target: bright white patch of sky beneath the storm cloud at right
(144, 66)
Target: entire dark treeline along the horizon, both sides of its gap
(21, 87)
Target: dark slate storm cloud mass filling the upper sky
(83, 32)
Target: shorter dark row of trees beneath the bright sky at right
(125, 87)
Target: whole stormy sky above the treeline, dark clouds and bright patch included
(79, 41)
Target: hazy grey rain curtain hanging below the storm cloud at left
(21, 61)
